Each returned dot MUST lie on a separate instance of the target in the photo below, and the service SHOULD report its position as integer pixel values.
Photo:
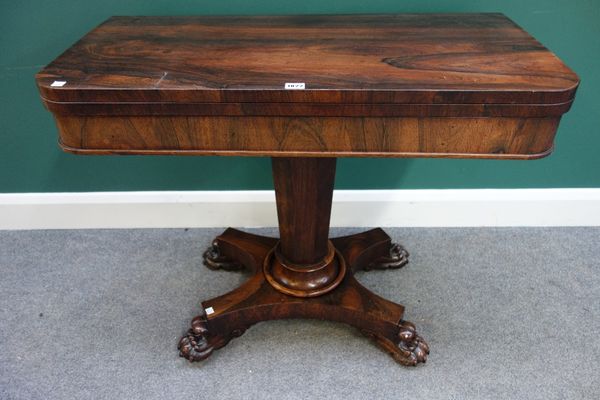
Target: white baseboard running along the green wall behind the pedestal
(357, 208)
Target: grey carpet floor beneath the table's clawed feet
(96, 314)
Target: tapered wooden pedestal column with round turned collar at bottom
(304, 263)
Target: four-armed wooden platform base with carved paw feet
(228, 316)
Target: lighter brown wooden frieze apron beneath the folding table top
(315, 137)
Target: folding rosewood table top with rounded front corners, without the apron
(372, 59)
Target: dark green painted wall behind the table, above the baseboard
(32, 33)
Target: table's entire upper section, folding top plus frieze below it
(430, 85)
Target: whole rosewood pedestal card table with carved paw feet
(305, 90)
